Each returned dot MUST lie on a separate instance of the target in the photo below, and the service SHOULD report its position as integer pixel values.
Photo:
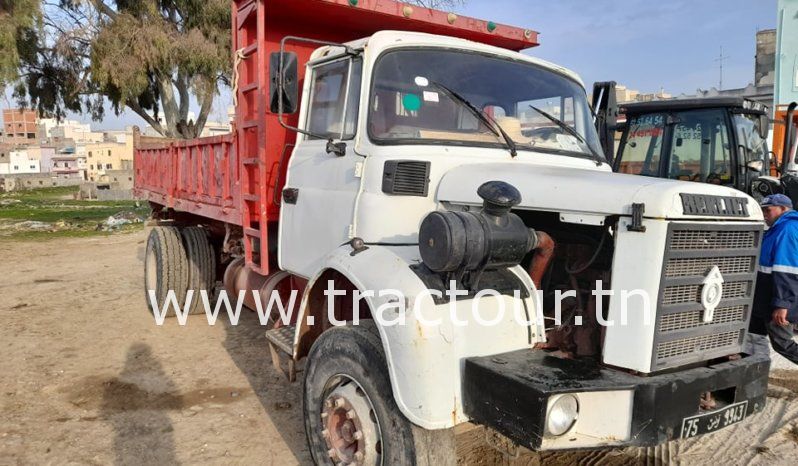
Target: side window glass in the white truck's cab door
(334, 99)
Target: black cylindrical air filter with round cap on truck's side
(462, 242)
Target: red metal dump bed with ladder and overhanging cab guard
(238, 179)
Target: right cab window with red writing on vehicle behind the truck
(700, 148)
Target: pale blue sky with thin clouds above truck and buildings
(646, 45)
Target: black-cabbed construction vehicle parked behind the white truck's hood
(718, 140)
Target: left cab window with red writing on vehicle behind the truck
(640, 155)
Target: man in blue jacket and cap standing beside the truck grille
(776, 296)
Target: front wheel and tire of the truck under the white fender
(348, 363)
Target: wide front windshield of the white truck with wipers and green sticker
(408, 105)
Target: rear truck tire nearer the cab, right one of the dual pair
(201, 266)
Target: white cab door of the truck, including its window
(321, 188)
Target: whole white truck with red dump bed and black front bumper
(383, 147)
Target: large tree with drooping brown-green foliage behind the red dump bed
(149, 56)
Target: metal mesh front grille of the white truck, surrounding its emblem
(692, 250)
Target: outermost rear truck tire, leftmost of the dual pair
(165, 267)
